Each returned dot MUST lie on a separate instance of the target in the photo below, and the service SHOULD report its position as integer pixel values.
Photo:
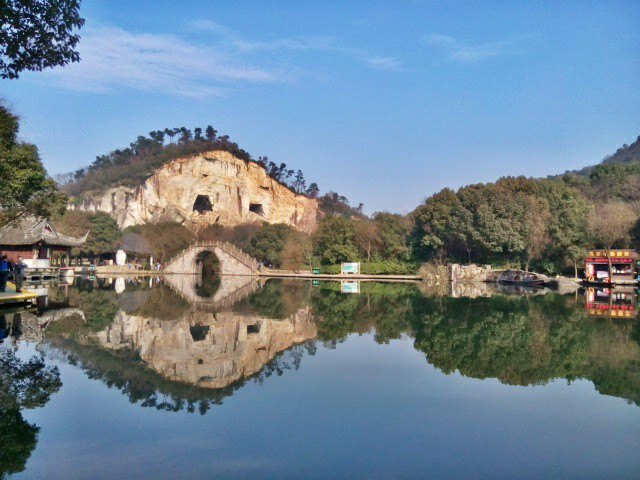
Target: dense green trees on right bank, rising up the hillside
(545, 223)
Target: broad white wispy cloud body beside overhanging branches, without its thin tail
(112, 58)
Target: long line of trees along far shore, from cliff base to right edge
(546, 225)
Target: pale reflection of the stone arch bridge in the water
(232, 288)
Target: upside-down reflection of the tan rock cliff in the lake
(206, 350)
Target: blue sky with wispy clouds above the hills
(383, 102)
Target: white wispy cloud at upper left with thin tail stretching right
(113, 59)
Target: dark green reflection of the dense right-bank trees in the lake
(523, 341)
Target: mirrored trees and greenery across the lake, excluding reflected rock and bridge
(518, 340)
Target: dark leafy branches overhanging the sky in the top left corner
(38, 34)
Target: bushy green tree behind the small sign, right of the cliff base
(334, 240)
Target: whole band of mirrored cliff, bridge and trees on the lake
(151, 342)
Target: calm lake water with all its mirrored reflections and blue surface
(291, 379)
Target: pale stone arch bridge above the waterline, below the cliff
(233, 261)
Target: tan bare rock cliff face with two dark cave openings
(205, 189)
